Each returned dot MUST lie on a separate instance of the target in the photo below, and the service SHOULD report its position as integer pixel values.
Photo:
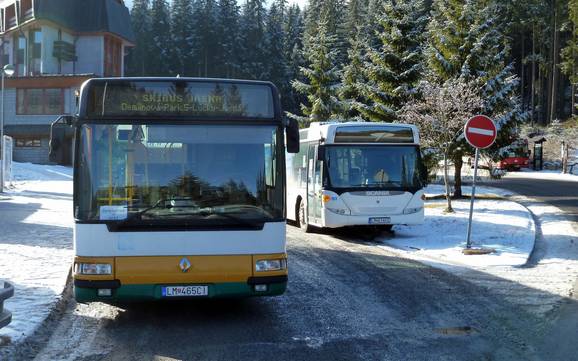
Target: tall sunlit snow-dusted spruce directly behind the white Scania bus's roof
(394, 68)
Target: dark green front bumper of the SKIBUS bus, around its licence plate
(88, 291)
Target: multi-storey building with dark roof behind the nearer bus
(55, 45)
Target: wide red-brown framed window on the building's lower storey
(40, 101)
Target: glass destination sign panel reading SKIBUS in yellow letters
(180, 98)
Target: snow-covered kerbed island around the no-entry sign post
(503, 225)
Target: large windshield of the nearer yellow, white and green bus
(194, 174)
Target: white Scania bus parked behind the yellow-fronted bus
(356, 173)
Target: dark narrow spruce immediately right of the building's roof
(137, 60)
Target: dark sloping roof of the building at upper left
(87, 16)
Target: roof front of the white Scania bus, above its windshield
(360, 133)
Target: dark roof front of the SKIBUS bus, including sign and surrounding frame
(176, 97)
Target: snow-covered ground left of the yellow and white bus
(35, 243)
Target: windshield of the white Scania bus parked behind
(384, 167)
